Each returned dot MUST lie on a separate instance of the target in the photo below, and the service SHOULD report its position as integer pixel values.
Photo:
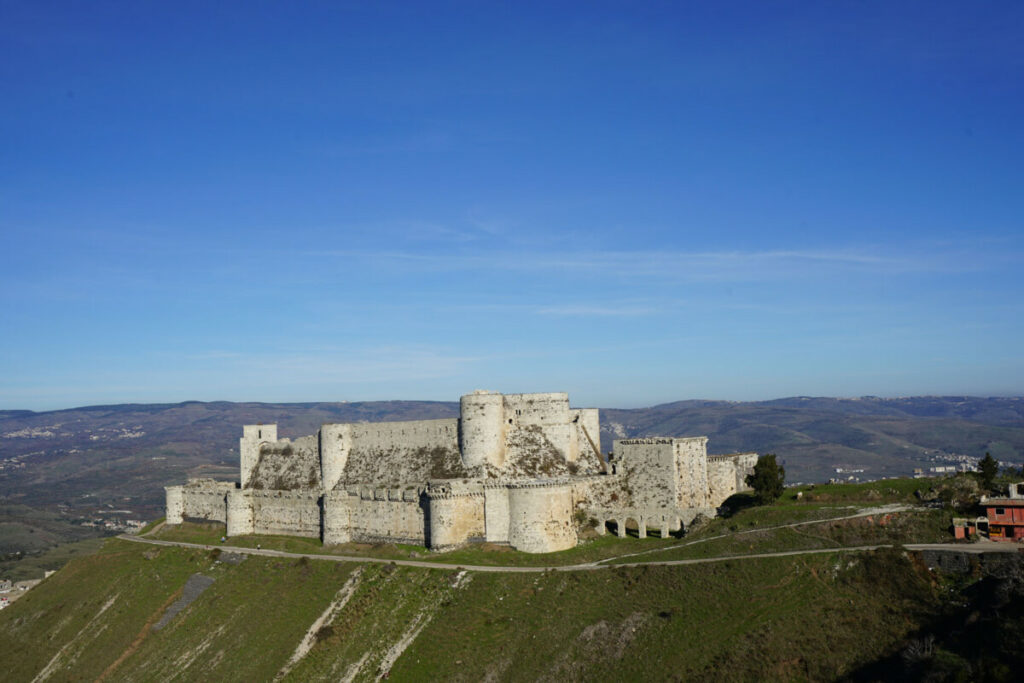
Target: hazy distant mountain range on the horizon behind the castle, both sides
(120, 457)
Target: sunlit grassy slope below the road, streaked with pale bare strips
(819, 617)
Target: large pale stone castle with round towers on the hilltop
(519, 469)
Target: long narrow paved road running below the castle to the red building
(589, 567)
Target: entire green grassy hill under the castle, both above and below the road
(115, 616)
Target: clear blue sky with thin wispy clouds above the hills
(632, 202)
